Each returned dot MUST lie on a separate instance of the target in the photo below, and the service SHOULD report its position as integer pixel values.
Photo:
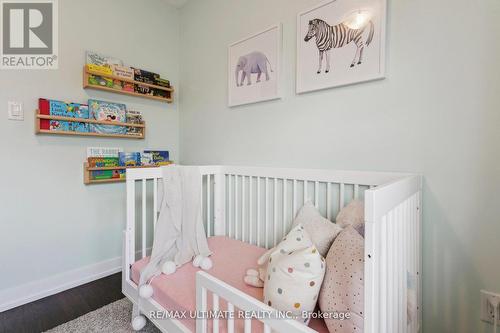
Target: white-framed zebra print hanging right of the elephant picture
(340, 42)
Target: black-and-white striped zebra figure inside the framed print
(340, 35)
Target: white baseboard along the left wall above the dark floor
(32, 291)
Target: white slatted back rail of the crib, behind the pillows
(261, 203)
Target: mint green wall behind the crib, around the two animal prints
(438, 113)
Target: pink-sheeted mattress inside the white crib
(231, 258)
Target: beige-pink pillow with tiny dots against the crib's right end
(343, 286)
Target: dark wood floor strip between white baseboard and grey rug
(57, 309)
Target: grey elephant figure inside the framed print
(255, 62)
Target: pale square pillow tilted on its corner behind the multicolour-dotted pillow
(321, 230)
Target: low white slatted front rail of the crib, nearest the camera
(236, 303)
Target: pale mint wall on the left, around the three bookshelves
(50, 222)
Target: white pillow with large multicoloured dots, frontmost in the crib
(294, 274)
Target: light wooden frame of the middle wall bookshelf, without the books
(39, 117)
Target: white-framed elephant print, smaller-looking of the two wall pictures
(254, 68)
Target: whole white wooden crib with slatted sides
(257, 205)
